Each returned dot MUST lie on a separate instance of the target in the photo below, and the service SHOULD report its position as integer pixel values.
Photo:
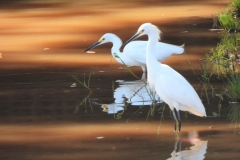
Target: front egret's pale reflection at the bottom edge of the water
(196, 152)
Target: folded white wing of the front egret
(176, 88)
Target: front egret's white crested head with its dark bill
(145, 29)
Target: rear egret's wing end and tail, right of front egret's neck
(165, 50)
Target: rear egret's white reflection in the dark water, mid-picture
(135, 93)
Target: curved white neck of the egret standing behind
(117, 43)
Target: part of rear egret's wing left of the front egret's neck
(136, 50)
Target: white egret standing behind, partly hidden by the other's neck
(134, 54)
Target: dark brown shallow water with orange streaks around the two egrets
(45, 116)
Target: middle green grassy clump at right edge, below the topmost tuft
(222, 60)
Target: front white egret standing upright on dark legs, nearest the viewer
(170, 86)
